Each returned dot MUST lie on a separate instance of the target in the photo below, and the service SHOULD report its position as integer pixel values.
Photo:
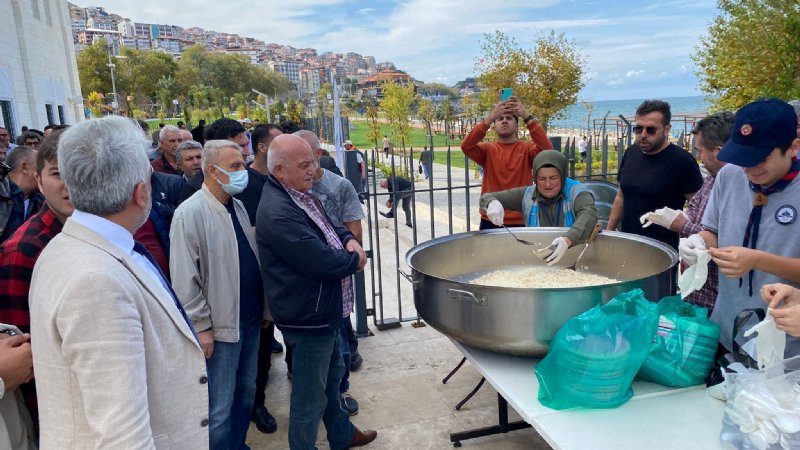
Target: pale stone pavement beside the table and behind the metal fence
(399, 387)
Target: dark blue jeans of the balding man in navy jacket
(317, 370)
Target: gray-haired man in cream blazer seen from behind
(116, 360)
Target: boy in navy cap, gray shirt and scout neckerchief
(750, 226)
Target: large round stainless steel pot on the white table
(524, 321)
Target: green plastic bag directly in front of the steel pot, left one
(595, 356)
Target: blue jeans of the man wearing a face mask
(232, 388)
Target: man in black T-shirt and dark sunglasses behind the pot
(653, 174)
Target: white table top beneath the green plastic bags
(657, 417)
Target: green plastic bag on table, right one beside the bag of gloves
(682, 352)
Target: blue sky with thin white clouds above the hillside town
(632, 49)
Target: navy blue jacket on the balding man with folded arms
(302, 273)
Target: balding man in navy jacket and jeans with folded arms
(306, 266)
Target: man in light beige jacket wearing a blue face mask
(220, 286)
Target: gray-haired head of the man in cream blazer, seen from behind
(102, 161)
